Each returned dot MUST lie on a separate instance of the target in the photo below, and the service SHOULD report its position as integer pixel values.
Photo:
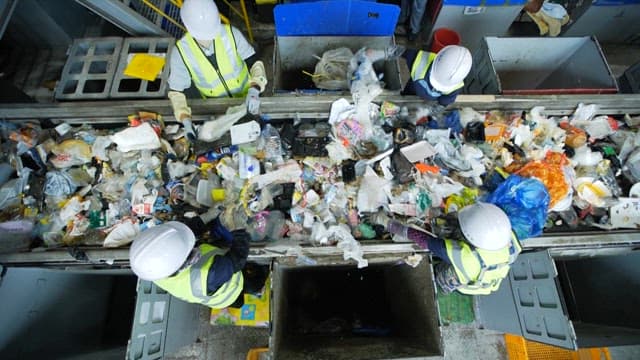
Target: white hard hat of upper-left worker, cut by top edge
(201, 18)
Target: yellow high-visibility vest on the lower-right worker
(479, 271)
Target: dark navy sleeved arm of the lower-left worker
(224, 266)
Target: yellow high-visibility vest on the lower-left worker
(190, 284)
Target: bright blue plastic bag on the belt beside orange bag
(525, 201)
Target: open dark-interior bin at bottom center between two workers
(339, 312)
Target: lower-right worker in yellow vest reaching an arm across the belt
(476, 264)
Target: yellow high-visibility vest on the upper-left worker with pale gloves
(232, 68)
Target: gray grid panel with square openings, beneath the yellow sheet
(128, 87)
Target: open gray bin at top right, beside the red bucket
(533, 66)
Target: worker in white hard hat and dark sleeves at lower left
(206, 274)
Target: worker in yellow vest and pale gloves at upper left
(214, 59)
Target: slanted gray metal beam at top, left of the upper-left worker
(120, 15)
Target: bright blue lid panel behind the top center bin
(341, 18)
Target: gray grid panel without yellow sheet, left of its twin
(89, 70)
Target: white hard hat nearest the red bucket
(450, 67)
